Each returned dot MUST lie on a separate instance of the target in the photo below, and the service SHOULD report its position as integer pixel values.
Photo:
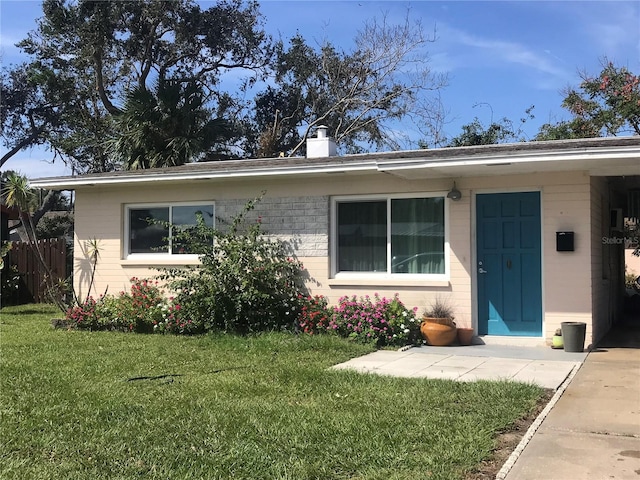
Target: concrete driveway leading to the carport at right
(593, 431)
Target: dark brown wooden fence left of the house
(24, 258)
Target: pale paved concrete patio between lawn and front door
(543, 366)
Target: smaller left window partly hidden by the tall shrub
(149, 227)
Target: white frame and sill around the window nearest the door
(376, 276)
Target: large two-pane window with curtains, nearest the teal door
(403, 236)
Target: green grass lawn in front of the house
(73, 406)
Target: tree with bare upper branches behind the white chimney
(358, 94)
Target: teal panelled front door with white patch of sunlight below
(509, 264)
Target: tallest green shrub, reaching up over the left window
(245, 281)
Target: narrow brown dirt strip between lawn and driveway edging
(507, 442)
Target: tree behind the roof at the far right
(605, 105)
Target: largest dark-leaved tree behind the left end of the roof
(87, 56)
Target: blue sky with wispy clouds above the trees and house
(500, 57)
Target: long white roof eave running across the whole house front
(575, 155)
